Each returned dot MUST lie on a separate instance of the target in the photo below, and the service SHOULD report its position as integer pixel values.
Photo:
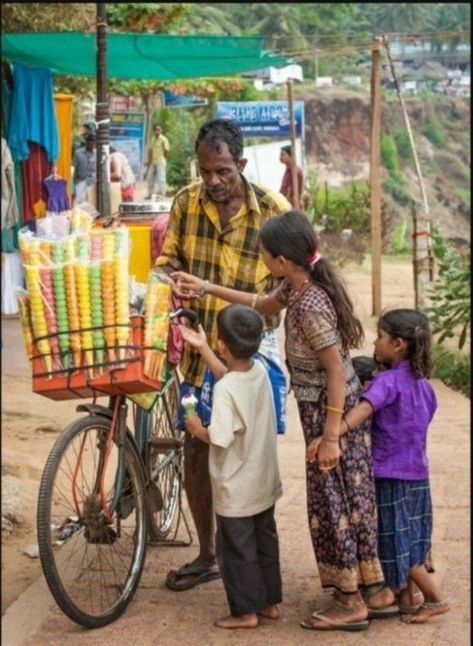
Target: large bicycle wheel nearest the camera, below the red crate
(92, 565)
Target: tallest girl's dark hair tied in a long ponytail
(292, 236)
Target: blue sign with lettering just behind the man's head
(263, 118)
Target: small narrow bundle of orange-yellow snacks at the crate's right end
(158, 302)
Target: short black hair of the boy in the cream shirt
(240, 327)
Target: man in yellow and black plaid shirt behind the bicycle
(213, 234)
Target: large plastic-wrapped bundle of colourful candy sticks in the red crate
(78, 295)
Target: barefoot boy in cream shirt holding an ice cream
(243, 467)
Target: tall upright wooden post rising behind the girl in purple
(375, 183)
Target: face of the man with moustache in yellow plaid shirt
(219, 171)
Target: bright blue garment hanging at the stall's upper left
(32, 115)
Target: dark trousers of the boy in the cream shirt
(248, 553)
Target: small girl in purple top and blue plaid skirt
(402, 404)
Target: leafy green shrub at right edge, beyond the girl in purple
(450, 310)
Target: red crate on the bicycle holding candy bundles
(125, 379)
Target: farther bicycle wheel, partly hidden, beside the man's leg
(163, 465)
